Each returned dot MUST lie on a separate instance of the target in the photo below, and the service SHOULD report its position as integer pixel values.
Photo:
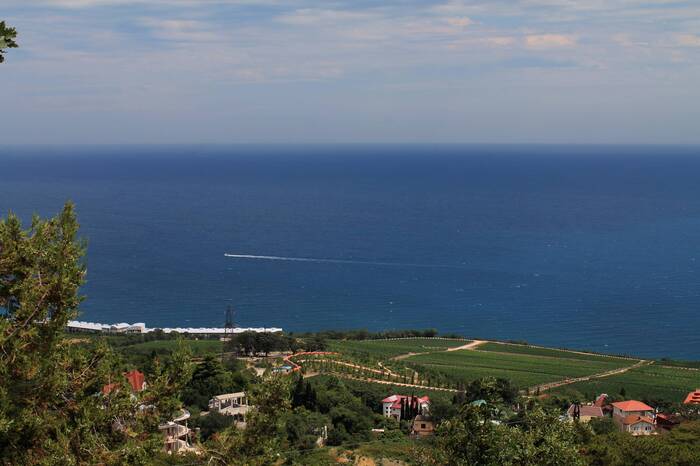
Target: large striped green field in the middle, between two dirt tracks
(522, 369)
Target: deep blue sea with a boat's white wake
(586, 247)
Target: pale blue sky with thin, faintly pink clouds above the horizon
(299, 71)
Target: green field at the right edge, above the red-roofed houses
(646, 383)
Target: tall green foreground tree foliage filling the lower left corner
(50, 410)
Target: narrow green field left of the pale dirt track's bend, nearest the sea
(384, 349)
